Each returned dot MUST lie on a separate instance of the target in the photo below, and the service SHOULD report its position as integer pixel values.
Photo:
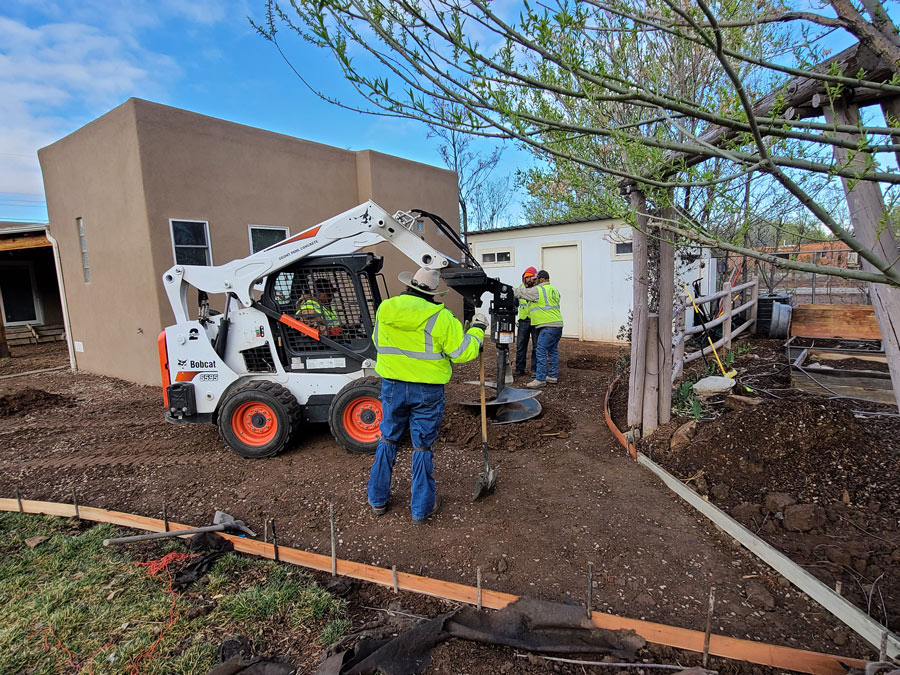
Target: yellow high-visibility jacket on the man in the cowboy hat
(416, 340)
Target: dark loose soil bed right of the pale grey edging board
(832, 456)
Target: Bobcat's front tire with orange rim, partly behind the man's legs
(355, 416)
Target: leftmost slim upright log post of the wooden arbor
(639, 310)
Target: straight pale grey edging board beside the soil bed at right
(839, 607)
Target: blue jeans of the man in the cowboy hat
(419, 408)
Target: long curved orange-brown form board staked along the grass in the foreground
(799, 660)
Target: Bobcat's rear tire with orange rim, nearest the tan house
(259, 419)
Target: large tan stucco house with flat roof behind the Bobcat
(145, 184)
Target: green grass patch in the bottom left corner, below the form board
(72, 605)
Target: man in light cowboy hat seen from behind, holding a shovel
(416, 338)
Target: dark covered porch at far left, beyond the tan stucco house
(30, 301)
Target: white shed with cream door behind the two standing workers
(589, 261)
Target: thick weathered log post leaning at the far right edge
(867, 215)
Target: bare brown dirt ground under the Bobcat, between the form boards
(567, 496)
